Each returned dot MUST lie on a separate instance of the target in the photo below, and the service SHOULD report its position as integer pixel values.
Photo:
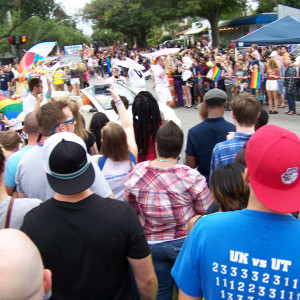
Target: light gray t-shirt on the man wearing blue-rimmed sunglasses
(31, 178)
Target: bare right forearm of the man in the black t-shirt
(145, 277)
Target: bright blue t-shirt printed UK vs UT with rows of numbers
(241, 255)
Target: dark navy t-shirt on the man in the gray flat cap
(203, 137)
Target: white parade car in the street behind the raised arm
(102, 103)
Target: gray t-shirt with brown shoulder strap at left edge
(20, 208)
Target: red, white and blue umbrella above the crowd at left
(35, 54)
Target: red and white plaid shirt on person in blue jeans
(166, 198)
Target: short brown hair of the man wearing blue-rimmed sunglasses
(50, 115)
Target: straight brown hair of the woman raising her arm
(114, 144)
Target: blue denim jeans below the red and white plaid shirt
(163, 257)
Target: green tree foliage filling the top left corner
(13, 13)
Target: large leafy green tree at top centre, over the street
(133, 18)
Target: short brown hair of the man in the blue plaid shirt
(246, 108)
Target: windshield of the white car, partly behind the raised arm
(105, 100)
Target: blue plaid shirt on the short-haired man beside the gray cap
(225, 152)
